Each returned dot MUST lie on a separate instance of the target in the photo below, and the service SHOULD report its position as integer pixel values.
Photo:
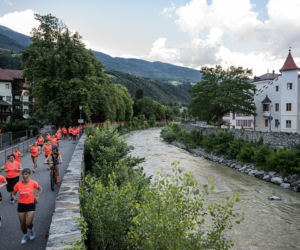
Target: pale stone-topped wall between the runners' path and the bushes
(63, 230)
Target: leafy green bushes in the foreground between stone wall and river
(122, 208)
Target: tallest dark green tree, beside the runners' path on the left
(61, 71)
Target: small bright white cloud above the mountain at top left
(22, 21)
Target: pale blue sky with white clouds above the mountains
(254, 34)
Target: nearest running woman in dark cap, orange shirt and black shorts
(27, 202)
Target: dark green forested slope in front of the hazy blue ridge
(159, 91)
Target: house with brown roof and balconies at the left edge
(12, 90)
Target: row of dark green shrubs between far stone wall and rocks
(284, 161)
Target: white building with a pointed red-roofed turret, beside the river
(277, 96)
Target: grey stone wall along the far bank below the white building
(275, 139)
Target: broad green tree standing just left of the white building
(220, 92)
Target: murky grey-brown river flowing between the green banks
(268, 224)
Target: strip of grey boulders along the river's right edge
(288, 181)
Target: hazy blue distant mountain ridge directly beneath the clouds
(155, 70)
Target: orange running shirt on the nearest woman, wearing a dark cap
(26, 191)
